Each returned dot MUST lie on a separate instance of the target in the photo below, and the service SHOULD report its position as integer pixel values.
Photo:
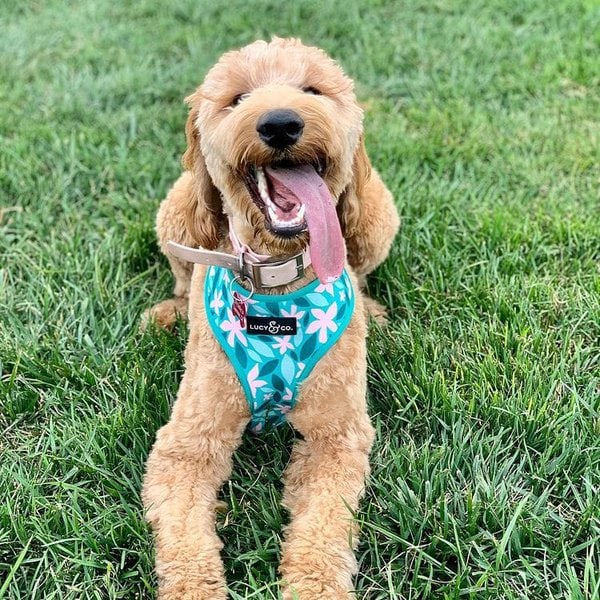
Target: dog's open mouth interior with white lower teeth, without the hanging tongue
(284, 208)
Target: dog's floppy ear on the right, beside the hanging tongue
(351, 211)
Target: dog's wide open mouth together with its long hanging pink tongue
(294, 198)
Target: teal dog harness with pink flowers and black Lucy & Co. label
(270, 360)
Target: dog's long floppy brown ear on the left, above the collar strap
(204, 210)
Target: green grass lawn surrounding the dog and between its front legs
(483, 118)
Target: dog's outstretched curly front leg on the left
(187, 466)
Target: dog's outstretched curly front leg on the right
(324, 482)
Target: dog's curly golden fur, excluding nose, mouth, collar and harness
(192, 455)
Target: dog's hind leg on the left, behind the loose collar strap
(171, 225)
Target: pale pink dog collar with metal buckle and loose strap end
(261, 269)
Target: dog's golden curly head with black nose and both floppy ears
(270, 124)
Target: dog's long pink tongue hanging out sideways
(327, 251)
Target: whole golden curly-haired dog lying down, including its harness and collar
(270, 233)
